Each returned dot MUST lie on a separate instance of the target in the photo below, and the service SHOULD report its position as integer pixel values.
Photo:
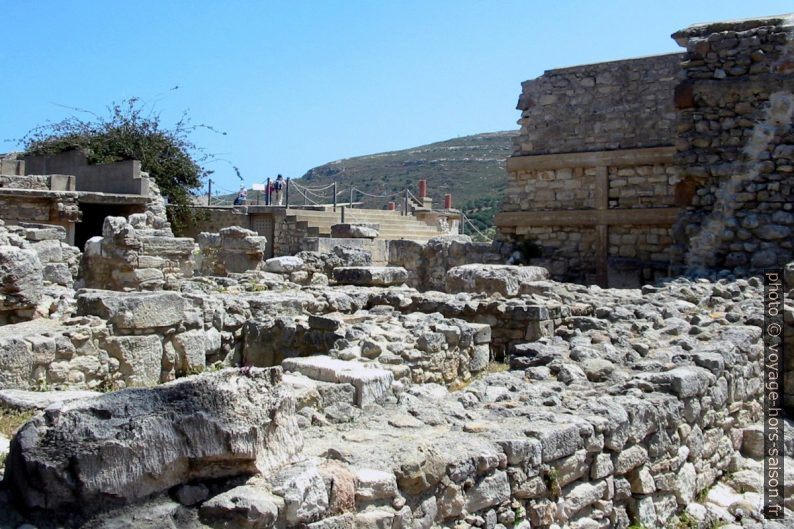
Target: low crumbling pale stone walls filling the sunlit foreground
(172, 382)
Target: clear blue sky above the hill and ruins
(297, 83)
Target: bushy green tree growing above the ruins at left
(128, 131)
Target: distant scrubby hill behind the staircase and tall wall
(471, 168)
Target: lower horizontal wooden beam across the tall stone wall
(588, 217)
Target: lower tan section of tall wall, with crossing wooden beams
(587, 210)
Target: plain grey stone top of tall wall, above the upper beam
(622, 104)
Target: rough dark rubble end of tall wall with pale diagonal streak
(736, 145)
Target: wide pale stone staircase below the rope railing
(393, 225)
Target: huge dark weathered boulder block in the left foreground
(214, 425)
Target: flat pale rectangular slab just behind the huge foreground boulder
(371, 384)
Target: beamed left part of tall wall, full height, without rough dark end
(592, 172)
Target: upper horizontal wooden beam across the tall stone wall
(617, 158)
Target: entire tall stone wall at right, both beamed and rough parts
(630, 171)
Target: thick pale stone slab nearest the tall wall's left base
(507, 280)
